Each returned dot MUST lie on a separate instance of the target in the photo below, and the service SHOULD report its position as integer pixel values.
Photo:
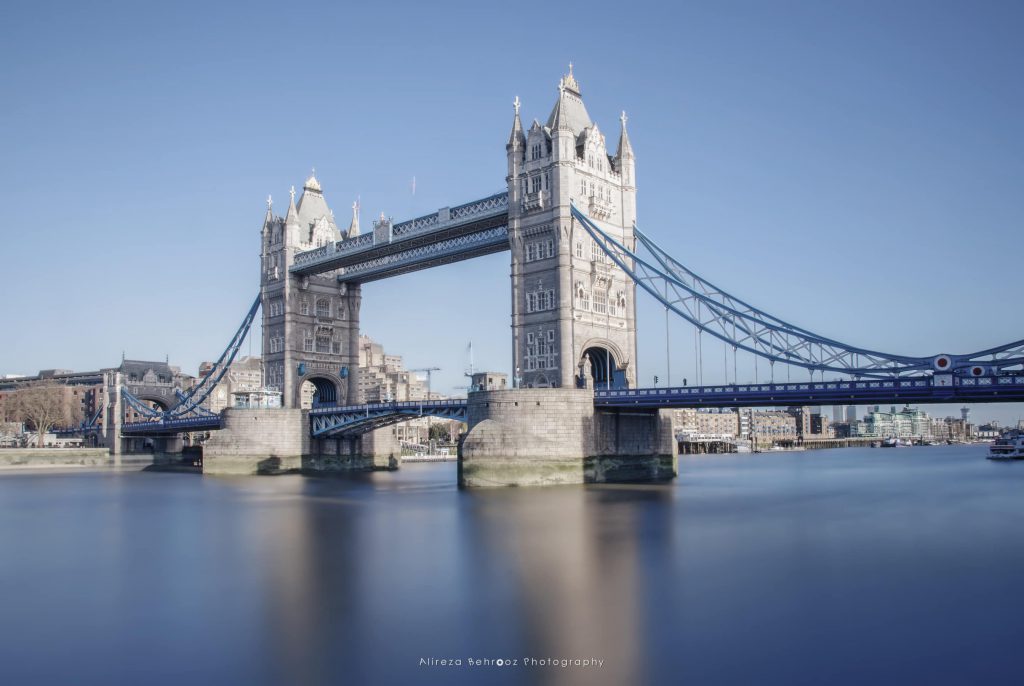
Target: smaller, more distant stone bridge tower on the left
(311, 323)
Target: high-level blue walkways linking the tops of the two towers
(449, 225)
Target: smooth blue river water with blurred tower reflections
(854, 567)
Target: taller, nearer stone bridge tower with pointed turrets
(574, 312)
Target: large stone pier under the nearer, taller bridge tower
(550, 437)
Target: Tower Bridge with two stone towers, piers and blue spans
(568, 219)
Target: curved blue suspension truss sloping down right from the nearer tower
(746, 328)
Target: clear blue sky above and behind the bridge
(857, 170)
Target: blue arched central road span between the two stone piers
(333, 422)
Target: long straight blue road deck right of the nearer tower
(923, 390)
